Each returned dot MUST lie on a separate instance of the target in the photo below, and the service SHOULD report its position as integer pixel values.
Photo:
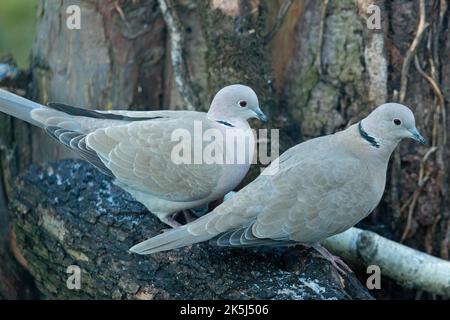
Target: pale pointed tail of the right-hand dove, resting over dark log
(172, 239)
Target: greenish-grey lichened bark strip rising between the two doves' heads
(322, 100)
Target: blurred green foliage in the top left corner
(17, 29)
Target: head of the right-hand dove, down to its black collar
(390, 123)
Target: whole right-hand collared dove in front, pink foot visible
(322, 187)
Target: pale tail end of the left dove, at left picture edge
(18, 107)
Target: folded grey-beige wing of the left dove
(139, 155)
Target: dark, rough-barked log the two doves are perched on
(68, 213)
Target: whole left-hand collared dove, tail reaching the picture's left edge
(135, 147)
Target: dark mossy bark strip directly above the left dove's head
(236, 51)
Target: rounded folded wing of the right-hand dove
(316, 199)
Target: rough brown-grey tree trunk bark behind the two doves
(316, 68)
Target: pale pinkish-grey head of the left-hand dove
(235, 103)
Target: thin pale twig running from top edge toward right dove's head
(423, 25)
